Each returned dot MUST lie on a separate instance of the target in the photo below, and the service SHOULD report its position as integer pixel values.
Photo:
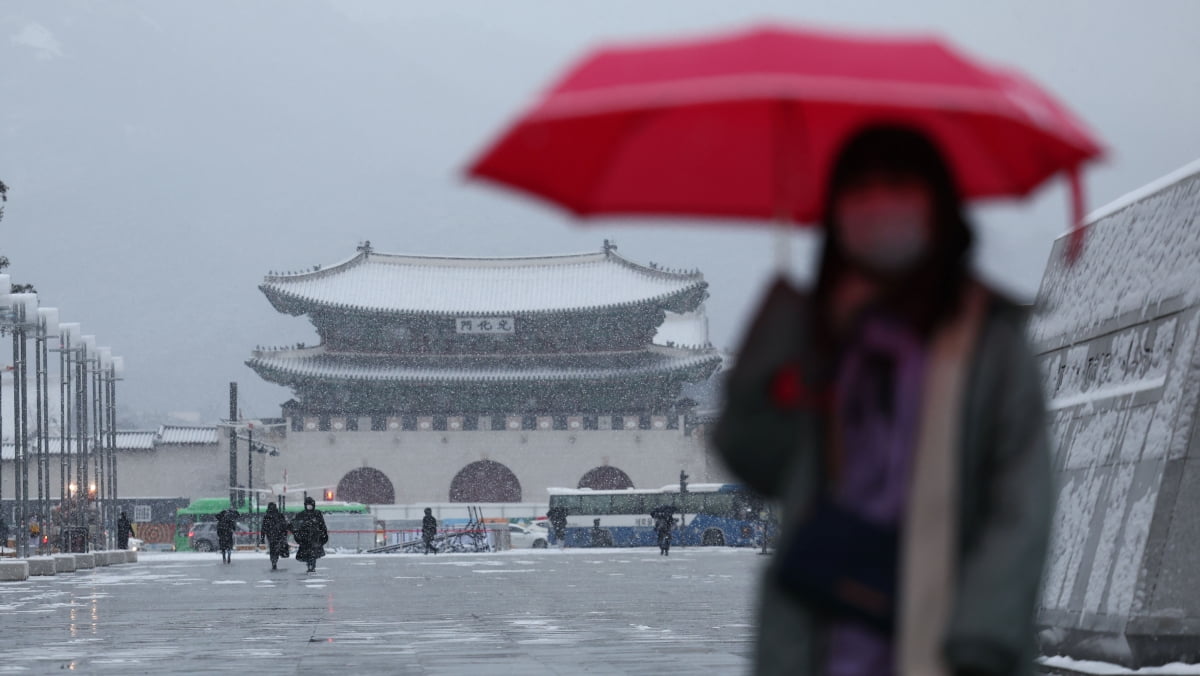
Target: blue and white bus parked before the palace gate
(707, 516)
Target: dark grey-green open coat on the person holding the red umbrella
(998, 505)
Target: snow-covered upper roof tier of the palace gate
(430, 285)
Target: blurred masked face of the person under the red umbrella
(885, 230)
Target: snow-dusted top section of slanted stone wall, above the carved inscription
(1139, 252)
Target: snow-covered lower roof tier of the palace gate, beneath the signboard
(317, 363)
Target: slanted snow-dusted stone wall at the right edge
(1117, 336)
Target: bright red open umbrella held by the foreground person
(748, 125)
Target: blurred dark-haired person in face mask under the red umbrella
(897, 416)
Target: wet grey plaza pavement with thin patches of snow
(538, 612)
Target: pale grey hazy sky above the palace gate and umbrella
(164, 157)
